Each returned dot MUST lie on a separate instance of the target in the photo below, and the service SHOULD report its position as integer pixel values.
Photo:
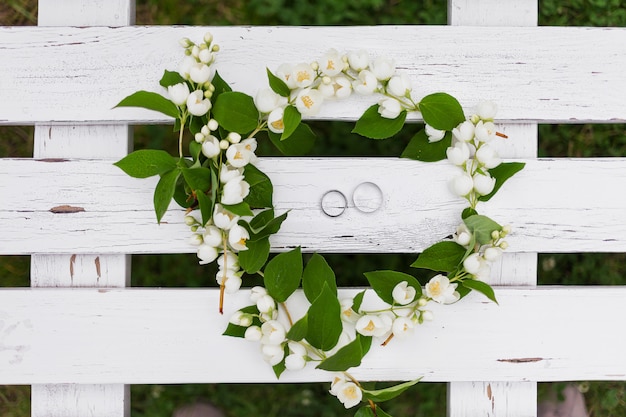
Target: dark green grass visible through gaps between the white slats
(302, 400)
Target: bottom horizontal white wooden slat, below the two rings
(101, 335)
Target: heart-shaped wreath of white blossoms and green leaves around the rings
(231, 216)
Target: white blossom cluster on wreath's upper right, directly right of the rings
(472, 153)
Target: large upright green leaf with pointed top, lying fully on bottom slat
(324, 321)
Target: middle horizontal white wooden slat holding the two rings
(552, 205)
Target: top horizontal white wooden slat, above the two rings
(544, 74)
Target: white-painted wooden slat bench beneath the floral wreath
(81, 348)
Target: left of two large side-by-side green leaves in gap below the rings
(283, 274)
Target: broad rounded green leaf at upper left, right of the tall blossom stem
(236, 112)
